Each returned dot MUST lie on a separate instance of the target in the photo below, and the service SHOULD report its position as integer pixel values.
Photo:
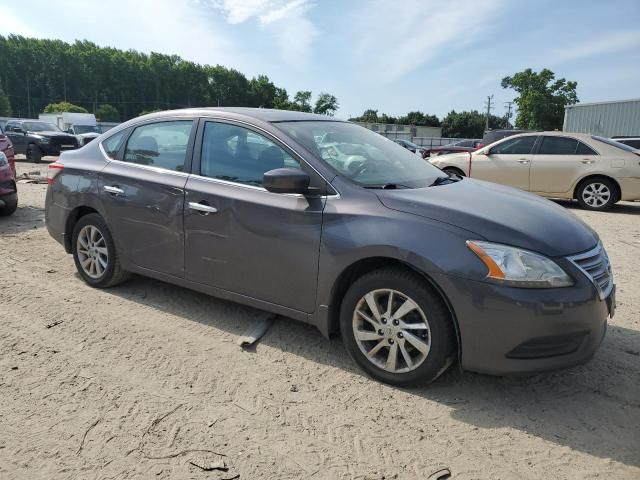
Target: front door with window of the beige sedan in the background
(506, 163)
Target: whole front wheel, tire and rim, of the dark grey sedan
(397, 328)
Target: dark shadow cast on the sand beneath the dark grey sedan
(594, 408)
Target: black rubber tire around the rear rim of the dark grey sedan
(113, 273)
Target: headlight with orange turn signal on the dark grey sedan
(519, 268)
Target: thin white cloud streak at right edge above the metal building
(614, 42)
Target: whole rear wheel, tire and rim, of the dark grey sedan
(94, 253)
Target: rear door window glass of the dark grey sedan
(162, 144)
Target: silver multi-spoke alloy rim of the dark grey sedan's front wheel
(391, 330)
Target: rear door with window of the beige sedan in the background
(559, 162)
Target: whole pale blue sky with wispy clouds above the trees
(392, 56)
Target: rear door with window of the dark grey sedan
(142, 191)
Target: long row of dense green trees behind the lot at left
(123, 84)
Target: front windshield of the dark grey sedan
(363, 156)
